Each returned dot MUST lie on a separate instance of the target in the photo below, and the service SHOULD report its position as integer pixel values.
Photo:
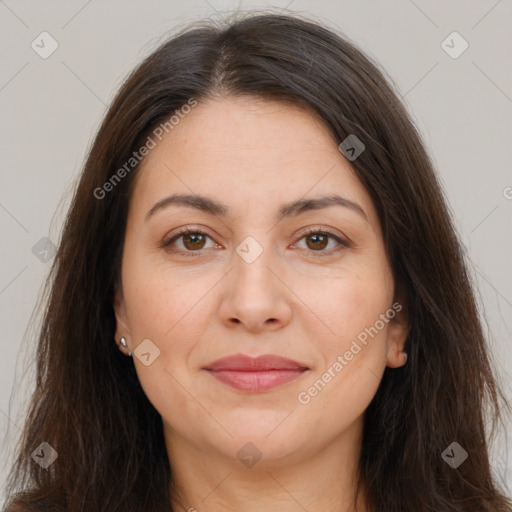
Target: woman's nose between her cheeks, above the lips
(255, 295)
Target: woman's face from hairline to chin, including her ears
(256, 283)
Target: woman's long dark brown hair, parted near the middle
(88, 403)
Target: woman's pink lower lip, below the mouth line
(256, 381)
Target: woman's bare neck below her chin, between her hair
(325, 479)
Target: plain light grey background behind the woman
(51, 108)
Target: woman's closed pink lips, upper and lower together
(255, 374)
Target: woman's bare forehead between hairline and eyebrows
(248, 153)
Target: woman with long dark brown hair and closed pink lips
(259, 301)
